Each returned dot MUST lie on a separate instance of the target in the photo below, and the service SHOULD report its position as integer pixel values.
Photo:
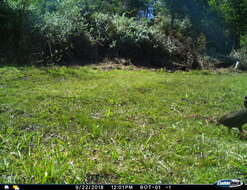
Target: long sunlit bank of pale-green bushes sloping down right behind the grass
(101, 35)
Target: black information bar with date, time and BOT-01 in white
(112, 187)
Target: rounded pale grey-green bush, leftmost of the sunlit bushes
(62, 31)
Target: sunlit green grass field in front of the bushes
(81, 125)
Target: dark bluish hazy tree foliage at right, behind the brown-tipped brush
(204, 19)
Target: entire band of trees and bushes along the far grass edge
(182, 34)
